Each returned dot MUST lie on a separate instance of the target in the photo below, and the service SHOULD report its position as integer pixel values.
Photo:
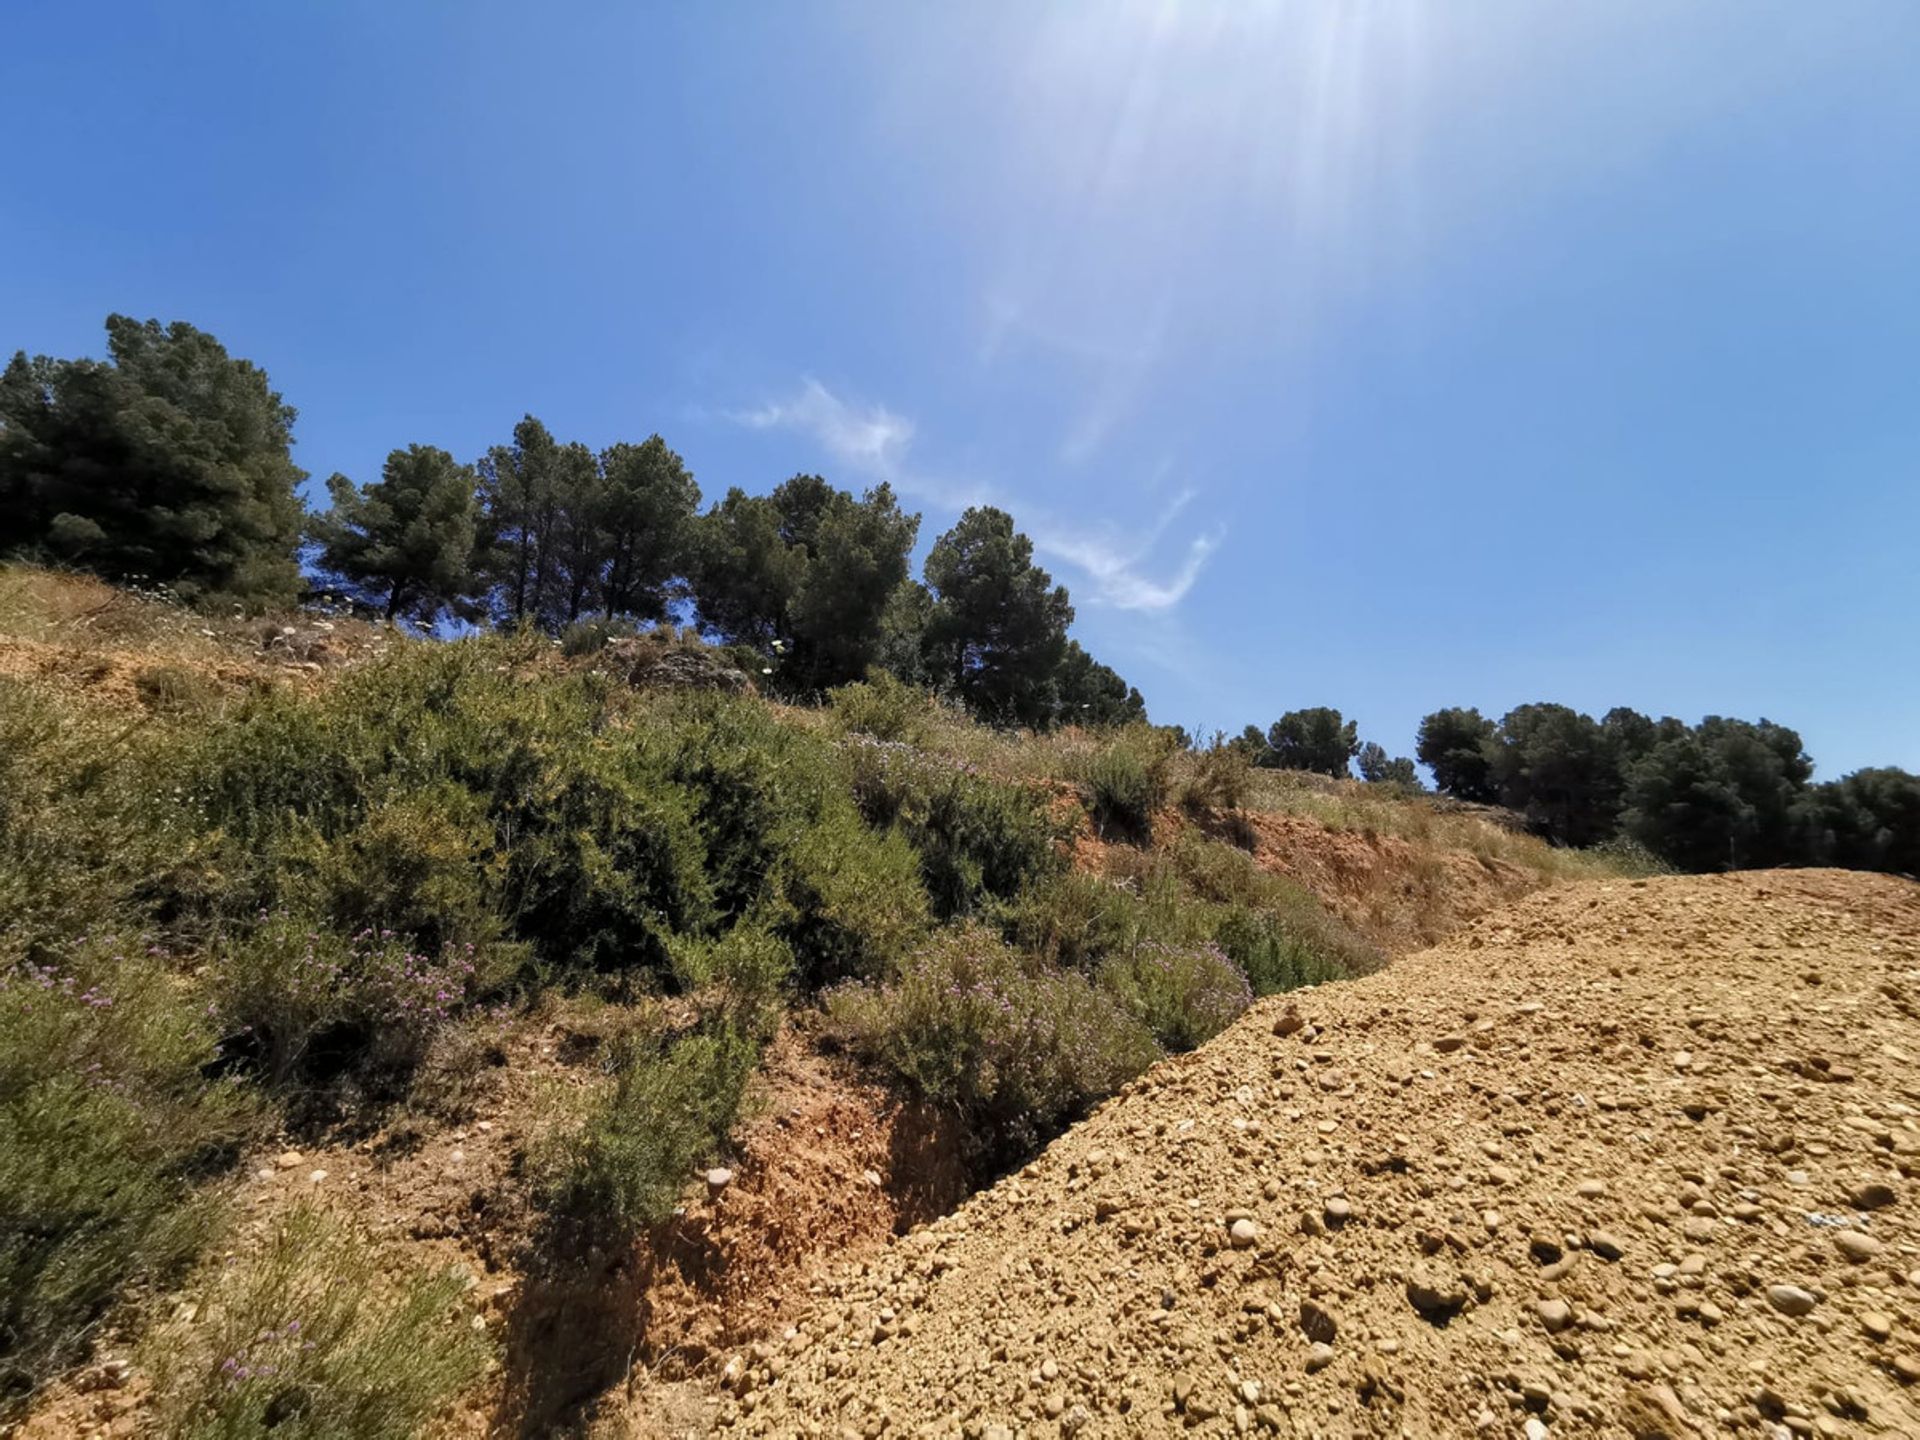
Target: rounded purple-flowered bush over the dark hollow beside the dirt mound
(1013, 1044)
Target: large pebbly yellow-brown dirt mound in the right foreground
(1621, 1159)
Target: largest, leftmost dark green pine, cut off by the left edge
(170, 464)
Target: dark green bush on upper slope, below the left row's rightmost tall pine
(978, 840)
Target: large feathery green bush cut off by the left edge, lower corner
(107, 1124)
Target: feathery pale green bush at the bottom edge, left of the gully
(316, 1341)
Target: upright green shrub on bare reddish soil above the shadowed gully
(667, 1105)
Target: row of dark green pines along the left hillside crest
(170, 466)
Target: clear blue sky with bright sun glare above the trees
(1381, 356)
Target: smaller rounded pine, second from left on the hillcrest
(406, 542)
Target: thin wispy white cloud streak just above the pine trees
(875, 443)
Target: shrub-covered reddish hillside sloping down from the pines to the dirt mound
(331, 953)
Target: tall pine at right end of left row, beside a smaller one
(999, 627)
